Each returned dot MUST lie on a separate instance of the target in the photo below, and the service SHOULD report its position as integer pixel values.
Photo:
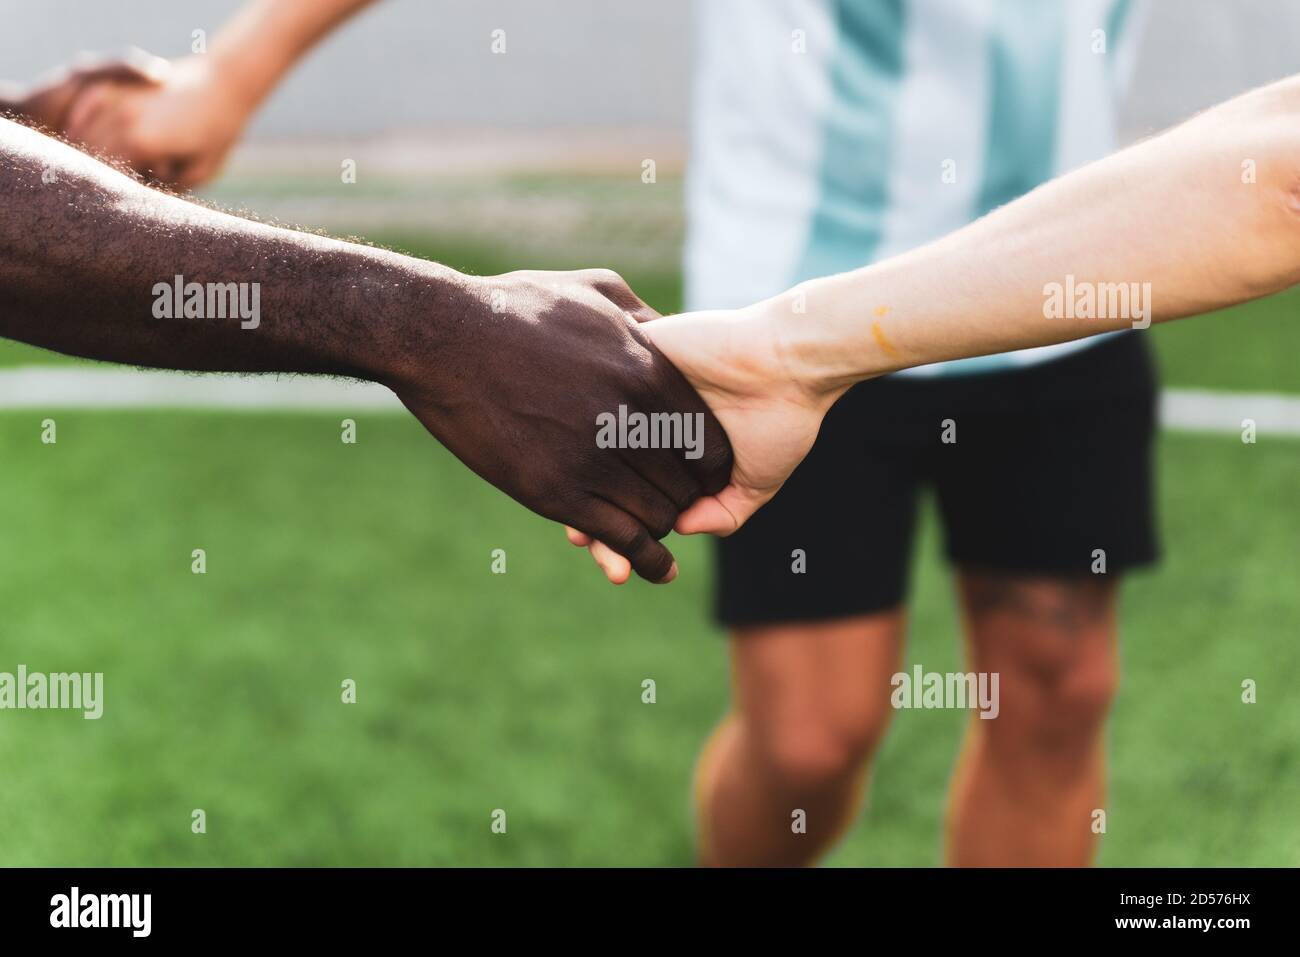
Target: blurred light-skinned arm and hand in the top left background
(177, 124)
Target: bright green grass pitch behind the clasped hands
(523, 691)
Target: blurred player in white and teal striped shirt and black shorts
(829, 136)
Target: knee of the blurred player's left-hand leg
(811, 756)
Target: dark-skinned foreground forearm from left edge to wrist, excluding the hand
(89, 266)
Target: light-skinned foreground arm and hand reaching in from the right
(1197, 219)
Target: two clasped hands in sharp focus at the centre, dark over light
(553, 356)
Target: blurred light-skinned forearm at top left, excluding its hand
(266, 38)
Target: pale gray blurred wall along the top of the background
(422, 64)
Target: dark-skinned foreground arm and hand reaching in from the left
(98, 266)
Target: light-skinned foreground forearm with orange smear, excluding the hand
(1177, 220)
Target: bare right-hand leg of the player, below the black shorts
(1029, 781)
